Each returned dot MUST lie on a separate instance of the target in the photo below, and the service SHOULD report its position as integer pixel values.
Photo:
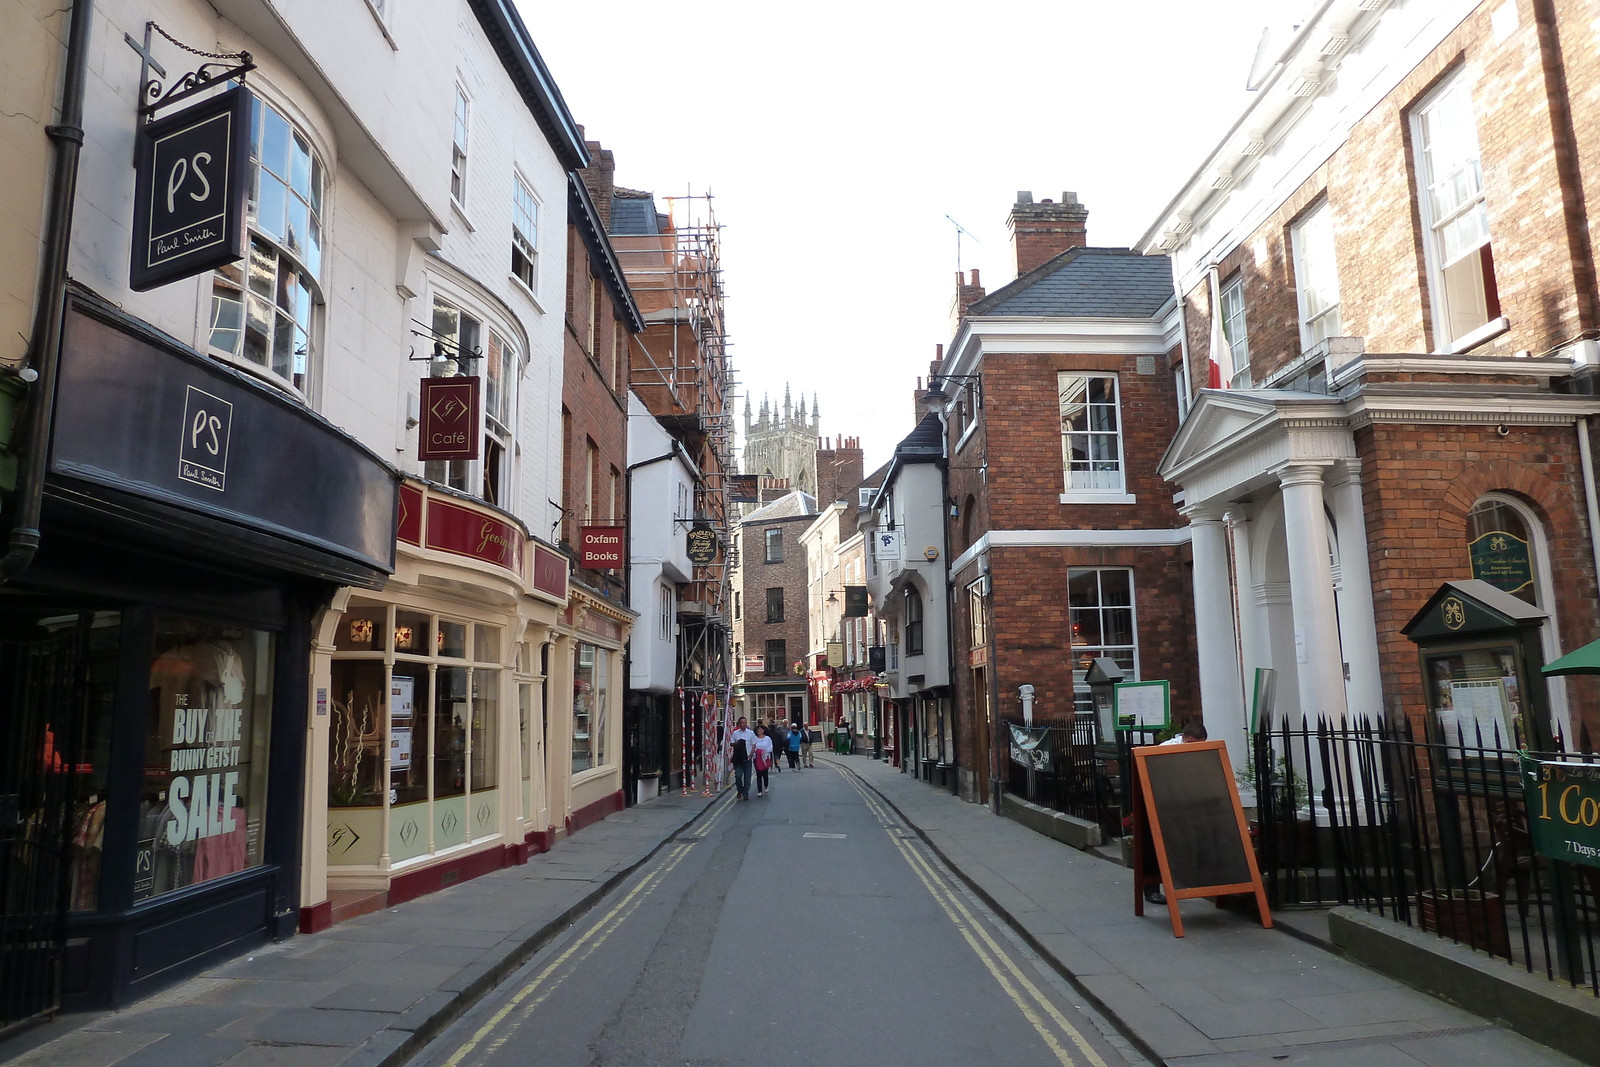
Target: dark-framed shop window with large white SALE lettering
(206, 769)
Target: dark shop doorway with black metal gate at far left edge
(42, 743)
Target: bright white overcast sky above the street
(839, 135)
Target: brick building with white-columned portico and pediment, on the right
(1390, 266)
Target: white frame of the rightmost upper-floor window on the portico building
(1473, 204)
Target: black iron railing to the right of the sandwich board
(1425, 828)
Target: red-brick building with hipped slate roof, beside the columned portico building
(1058, 406)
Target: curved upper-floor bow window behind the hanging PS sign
(263, 310)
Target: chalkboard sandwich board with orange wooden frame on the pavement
(1186, 807)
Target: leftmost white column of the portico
(1220, 692)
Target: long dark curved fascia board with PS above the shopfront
(154, 423)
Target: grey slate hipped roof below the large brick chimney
(1087, 284)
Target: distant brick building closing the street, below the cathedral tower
(770, 633)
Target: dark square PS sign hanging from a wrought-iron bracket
(190, 193)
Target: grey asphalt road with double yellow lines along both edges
(806, 927)
